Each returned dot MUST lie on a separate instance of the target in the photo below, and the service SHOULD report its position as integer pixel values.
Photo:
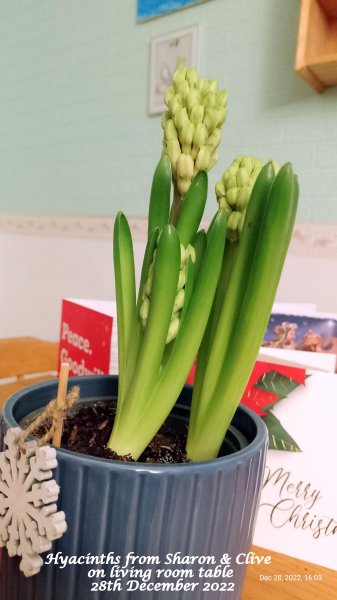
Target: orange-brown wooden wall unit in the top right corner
(316, 57)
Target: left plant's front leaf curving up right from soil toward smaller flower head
(139, 432)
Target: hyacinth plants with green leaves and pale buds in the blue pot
(206, 294)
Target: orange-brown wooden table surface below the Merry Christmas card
(288, 578)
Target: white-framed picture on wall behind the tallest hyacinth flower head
(165, 52)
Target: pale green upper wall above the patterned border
(74, 132)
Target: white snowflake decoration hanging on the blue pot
(29, 521)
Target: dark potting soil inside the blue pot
(87, 431)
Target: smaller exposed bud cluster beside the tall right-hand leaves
(234, 189)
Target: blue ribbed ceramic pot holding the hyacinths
(204, 509)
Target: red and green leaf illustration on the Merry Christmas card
(268, 384)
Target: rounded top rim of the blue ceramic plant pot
(50, 386)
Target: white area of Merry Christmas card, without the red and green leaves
(298, 508)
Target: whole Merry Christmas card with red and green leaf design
(298, 507)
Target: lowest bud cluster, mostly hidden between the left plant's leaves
(185, 253)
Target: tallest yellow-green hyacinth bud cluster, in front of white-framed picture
(192, 124)
